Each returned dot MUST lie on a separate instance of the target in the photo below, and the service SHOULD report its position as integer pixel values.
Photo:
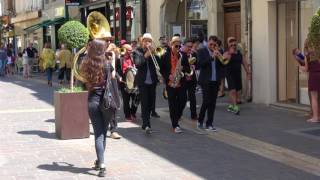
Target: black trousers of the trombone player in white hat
(147, 94)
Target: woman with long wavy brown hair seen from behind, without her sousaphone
(93, 68)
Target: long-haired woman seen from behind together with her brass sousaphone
(95, 71)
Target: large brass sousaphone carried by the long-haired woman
(99, 28)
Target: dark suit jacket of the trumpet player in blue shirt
(204, 64)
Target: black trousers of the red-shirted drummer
(130, 103)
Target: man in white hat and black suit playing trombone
(146, 78)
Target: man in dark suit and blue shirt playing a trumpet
(209, 80)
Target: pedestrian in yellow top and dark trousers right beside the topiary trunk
(65, 57)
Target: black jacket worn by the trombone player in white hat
(141, 64)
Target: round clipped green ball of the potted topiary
(73, 34)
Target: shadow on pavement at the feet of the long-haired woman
(65, 167)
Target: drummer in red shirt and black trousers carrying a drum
(130, 96)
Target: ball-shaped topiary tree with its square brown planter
(71, 106)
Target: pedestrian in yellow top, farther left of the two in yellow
(47, 59)
